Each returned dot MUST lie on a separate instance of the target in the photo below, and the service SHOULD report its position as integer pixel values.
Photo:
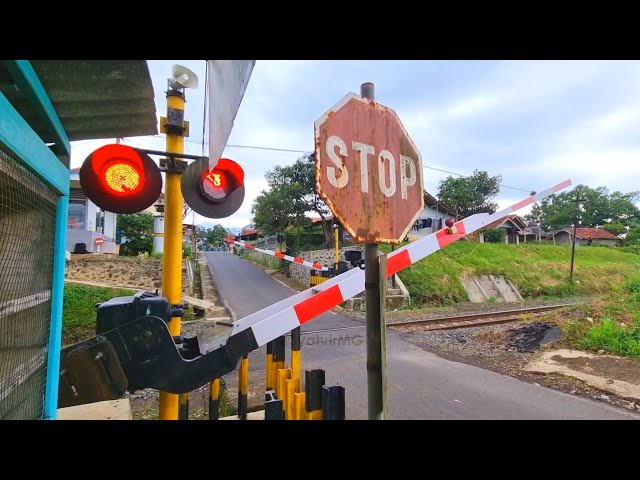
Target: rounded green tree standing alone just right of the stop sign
(470, 195)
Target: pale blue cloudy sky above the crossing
(535, 123)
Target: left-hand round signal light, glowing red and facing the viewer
(120, 179)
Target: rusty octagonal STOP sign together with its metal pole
(369, 173)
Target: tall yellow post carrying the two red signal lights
(172, 251)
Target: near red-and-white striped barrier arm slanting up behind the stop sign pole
(288, 314)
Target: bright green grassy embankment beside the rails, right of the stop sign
(610, 323)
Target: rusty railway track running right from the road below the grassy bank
(476, 319)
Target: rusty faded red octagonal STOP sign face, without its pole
(368, 170)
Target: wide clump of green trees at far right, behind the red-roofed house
(599, 208)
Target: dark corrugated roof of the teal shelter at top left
(94, 98)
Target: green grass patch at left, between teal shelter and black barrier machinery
(79, 309)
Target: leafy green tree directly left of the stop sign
(292, 193)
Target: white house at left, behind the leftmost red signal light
(86, 221)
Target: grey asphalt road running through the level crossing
(421, 385)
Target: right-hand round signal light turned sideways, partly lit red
(216, 193)
